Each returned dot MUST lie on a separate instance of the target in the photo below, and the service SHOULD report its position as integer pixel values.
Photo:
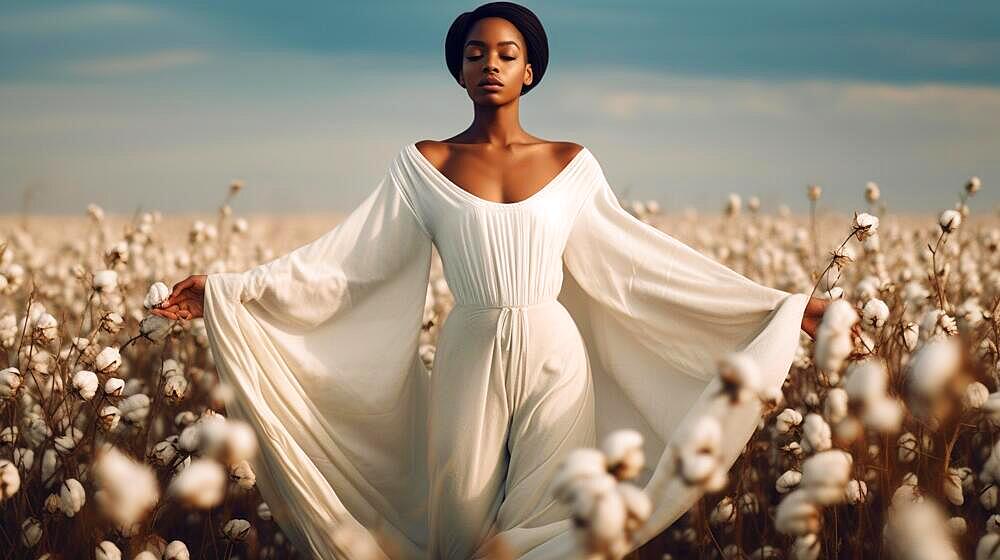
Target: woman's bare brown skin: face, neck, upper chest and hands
(493, 159)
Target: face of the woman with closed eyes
(494, 48)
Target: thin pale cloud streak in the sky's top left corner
(72, 18)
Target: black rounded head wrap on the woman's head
(522, 18)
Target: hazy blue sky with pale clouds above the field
(144, 105)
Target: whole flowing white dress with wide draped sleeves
(572, 319)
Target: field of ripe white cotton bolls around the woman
(114, 439)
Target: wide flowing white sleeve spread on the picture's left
(320, 347)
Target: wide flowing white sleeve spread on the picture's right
(656, 315)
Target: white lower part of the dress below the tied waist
(511, 395)
